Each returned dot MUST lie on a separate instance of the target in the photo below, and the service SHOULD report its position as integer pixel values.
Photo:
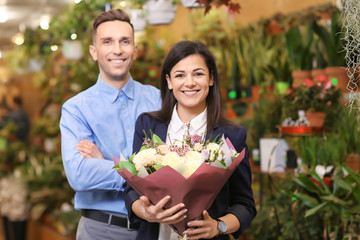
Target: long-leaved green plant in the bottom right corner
(337, 205)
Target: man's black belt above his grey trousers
(108, 219)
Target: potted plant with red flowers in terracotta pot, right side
(313, 97)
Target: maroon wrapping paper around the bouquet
(197, 192)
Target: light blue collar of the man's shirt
(113, 93)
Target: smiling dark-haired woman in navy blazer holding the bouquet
(191, 101)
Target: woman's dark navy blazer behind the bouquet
(235, 197)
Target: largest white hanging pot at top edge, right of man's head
(160, 11)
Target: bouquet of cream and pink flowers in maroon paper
(191, 171)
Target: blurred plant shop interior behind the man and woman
(288, 74)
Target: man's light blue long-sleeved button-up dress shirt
(105, 116)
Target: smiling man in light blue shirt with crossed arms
(105, 115)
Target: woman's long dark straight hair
(178, 52)
